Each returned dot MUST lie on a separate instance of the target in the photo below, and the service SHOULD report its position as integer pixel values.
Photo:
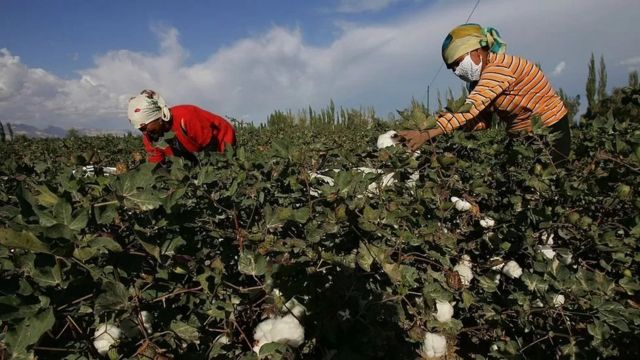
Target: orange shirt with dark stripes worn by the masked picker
(515, 89)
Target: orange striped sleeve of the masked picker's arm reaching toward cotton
(494, 80)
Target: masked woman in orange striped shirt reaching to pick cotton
(512, 87)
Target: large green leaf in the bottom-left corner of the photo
(28, 332)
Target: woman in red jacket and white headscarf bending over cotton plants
(195, 129)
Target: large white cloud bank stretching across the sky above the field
(382, 65)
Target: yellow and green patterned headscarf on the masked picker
(468, 37)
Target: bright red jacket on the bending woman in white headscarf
(195, 129)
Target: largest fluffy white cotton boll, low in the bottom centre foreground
(284, 330)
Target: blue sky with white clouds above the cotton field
(75, 63)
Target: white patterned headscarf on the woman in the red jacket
(146, 107)
